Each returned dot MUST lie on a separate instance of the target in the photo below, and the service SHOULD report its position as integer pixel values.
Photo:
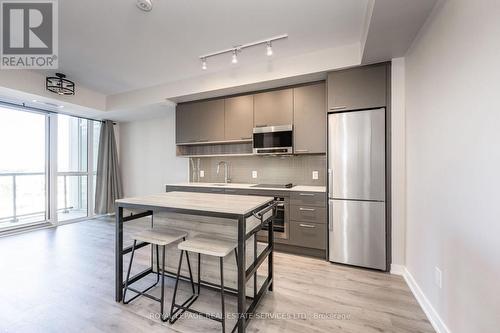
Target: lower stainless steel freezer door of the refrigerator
(357, 233)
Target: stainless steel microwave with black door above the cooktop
(273, 140)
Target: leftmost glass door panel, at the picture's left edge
(23, 168)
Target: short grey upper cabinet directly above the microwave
(273, 108)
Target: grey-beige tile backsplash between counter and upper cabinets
(270, 169)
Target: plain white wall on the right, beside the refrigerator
(453, 163)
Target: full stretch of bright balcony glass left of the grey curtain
(48, 166)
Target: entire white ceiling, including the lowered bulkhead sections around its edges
(129, 64)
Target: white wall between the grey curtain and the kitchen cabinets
(147, 155)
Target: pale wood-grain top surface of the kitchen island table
(207, 202)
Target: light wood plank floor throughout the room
(62, 280)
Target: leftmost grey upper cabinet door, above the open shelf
(200, 122)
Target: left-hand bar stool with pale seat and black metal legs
(157, 237)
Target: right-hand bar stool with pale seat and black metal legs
(209, 246)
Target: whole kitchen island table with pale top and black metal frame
(247, 214)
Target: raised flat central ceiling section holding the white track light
(113, 47)
